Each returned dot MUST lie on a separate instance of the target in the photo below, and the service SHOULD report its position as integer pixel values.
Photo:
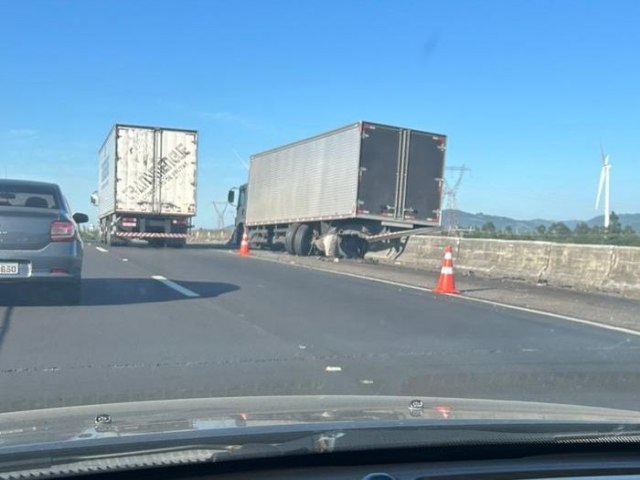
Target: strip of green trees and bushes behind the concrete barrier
(616, 234)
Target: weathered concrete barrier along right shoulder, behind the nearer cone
(603, 268)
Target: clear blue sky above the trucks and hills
(526, 90)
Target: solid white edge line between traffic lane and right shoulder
(463, 297)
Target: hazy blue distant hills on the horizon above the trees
(477, 220)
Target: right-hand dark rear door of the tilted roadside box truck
(423, 174)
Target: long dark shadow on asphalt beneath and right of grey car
(111, 291)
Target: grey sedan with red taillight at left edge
(39, 238)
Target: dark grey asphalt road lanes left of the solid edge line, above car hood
(235, 326)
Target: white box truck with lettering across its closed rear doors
(147, 185)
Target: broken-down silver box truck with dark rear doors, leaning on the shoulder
(341, 190)
